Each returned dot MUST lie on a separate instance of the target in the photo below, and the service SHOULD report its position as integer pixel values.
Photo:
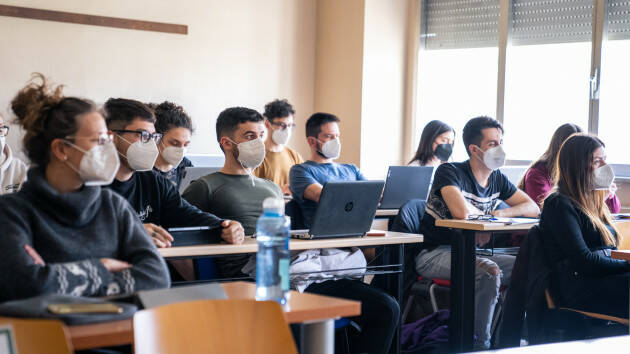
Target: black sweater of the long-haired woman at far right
(568, 236)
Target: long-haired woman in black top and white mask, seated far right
(578, 232)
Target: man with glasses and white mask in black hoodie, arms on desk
(155, 198)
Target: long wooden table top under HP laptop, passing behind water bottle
(250, 245)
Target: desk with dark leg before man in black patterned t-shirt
(461, 326)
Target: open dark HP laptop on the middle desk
(345, 209)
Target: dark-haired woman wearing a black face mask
(436, 144)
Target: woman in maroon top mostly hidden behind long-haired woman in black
(537, 182)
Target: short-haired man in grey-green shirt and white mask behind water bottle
(234, 192)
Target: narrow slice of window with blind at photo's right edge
(614, 105)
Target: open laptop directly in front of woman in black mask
(405, 183)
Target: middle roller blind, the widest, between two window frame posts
(551, 21)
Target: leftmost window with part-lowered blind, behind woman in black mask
(457, 72)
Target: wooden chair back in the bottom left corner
(39, 336)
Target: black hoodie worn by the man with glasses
(157, 201)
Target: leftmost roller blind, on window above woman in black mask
(460, 24)
